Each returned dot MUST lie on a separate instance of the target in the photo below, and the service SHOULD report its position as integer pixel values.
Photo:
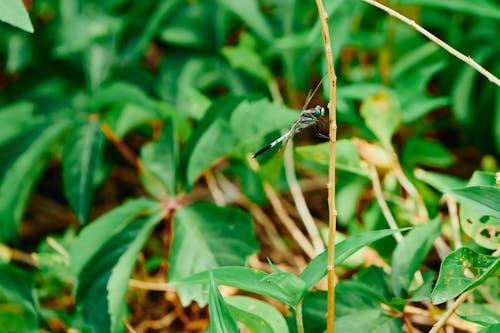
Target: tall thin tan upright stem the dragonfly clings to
(332, 211)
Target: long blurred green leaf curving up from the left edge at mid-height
(22, 162)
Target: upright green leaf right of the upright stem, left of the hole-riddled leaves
(410, 253)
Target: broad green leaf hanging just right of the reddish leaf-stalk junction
(207, 236)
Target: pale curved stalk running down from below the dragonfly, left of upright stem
(300, 201)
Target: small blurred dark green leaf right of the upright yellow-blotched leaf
(419, 151)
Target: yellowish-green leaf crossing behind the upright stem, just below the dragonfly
(315, 158)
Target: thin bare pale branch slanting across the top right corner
(461, 56)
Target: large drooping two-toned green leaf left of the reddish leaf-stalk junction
(102, 259)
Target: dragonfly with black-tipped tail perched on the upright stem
(307, 117)
